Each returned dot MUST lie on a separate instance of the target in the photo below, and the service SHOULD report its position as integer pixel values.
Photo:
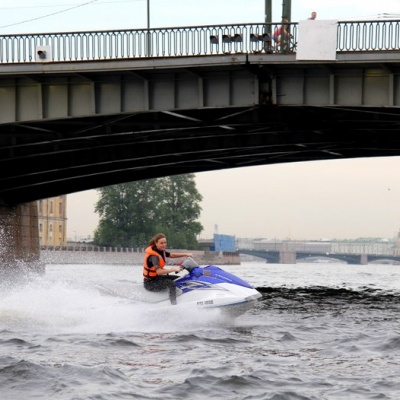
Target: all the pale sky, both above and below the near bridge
(314, 200)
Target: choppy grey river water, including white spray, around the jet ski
(320, 331)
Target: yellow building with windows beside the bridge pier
(52, 215)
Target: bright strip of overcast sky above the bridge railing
(28, 16)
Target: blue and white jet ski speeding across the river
(208, 287)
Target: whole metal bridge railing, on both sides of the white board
(381, 35)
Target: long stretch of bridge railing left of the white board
(138, 43)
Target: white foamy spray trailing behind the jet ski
(73, 305)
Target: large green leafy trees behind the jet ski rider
(132, 213)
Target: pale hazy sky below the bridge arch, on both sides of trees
(309, 200)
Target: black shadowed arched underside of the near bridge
(53, 157)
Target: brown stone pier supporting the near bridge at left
(19, 239)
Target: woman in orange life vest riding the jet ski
(155, 276)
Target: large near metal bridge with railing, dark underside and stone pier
(84, 110)
